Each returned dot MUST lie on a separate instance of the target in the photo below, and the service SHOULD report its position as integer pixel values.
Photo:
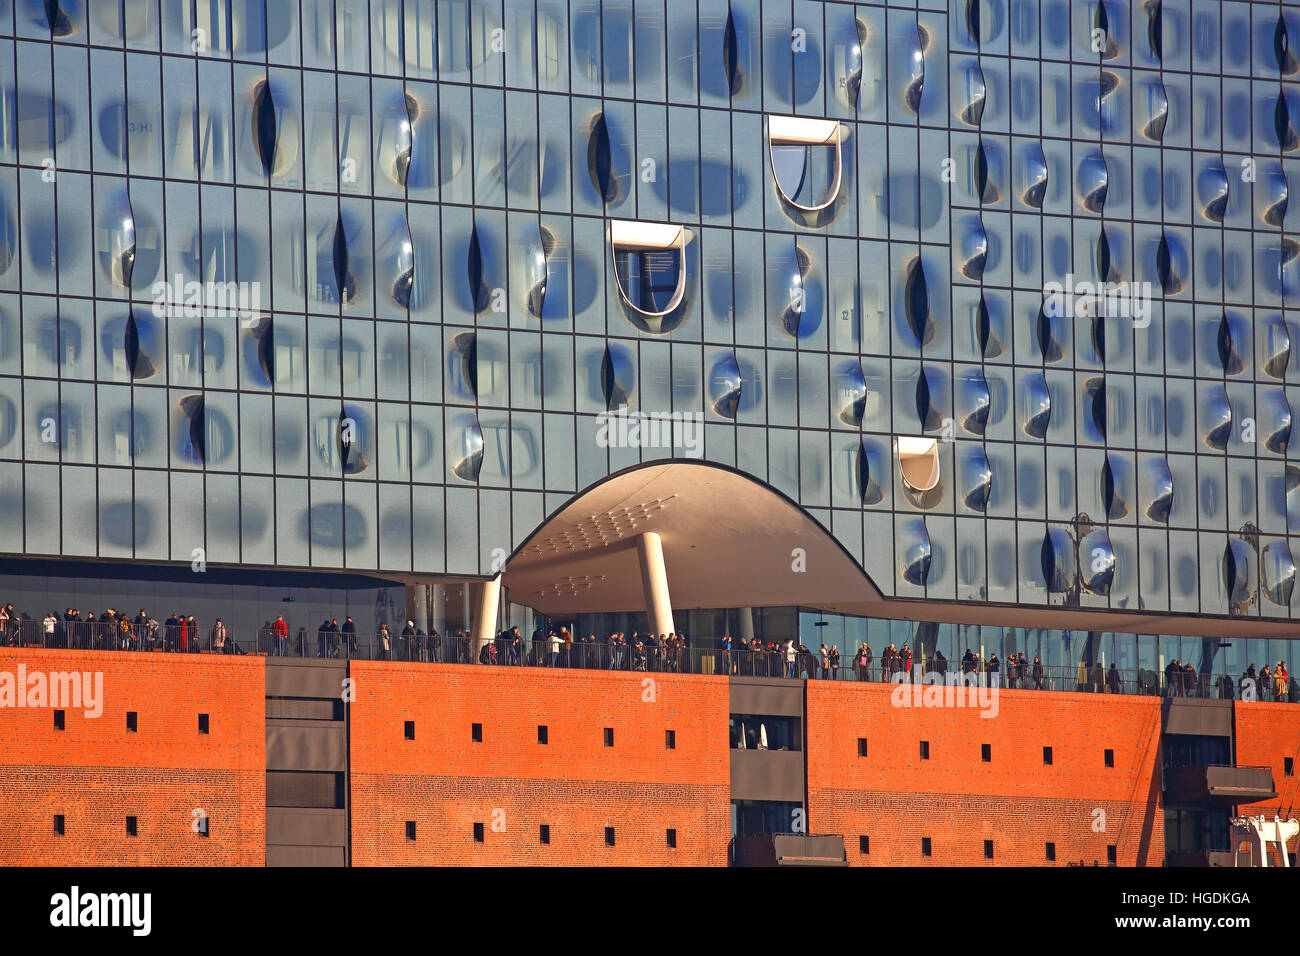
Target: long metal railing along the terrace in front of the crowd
(604, 656)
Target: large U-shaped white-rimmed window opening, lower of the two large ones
(651, 272)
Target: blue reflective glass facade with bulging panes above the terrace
(1000, 292)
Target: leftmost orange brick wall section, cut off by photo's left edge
(97, 773)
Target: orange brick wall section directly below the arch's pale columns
(512, 784)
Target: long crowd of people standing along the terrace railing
(179, 633)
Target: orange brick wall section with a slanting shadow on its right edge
(957, 801)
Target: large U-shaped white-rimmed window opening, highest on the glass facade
(808, 159)
